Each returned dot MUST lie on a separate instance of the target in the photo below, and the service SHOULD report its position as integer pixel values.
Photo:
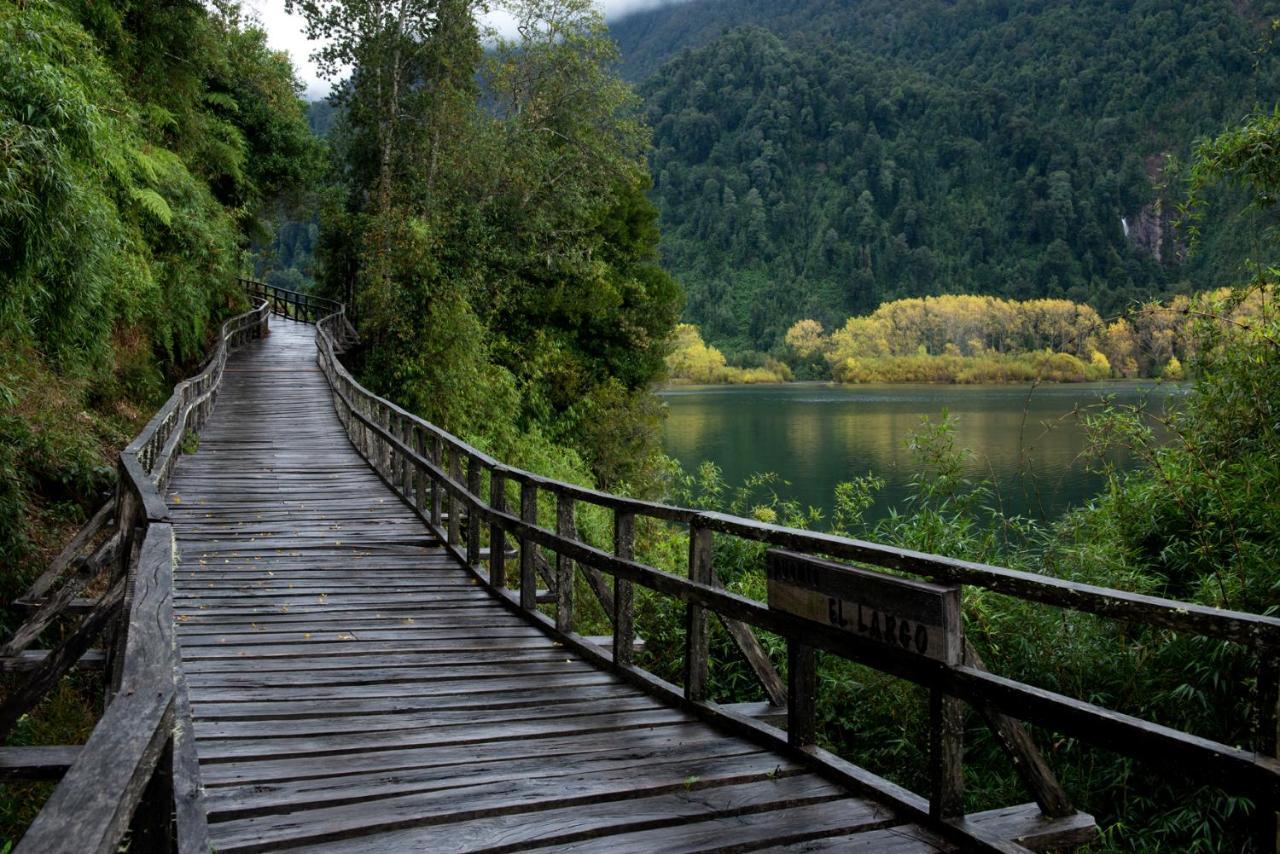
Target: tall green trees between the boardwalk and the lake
(497, 243)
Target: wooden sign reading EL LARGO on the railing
(915, 616)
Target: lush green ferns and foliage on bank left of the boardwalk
(139, 144)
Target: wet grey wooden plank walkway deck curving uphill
(354, 689)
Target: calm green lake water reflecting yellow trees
(1030, 444)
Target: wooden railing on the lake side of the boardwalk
(468, 497)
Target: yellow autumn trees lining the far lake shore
(968, 340)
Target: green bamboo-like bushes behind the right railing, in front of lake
(1137, 537)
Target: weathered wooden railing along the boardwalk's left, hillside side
(138, 775)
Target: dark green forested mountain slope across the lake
(843, 154)
